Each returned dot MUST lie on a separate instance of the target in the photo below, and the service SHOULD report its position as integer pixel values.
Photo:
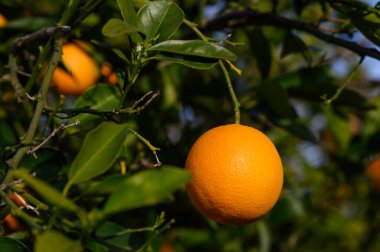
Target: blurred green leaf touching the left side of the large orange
(146, 188)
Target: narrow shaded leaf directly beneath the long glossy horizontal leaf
(186, 61)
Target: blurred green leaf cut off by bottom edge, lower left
(55, 241)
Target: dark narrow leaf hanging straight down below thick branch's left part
(261, 49)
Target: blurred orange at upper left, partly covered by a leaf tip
(83, 68)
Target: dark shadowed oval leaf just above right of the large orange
(277, 99)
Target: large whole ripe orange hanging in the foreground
(236, 172)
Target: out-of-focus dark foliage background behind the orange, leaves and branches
(330, 200)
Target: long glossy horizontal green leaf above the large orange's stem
(198, 48)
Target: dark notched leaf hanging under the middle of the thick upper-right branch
(293, 44)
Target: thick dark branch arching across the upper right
(251, 17)
